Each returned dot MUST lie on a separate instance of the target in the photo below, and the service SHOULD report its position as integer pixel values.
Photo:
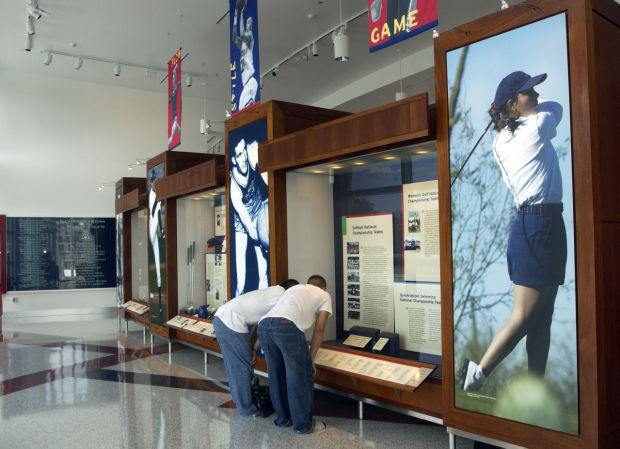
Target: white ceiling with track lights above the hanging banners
(148, 32)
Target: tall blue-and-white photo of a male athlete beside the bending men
(249, 210)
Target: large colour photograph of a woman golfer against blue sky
(513, 257)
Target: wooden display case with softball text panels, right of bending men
(355, 203)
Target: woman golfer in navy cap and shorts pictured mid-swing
(536, 254)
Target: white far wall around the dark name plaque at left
(61, 139)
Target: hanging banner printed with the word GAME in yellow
(391, 21)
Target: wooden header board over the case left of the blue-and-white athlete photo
(204, 176)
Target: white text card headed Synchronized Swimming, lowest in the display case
(417, 308)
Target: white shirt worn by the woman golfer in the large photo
(527, 159)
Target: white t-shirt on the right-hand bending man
(301, 304)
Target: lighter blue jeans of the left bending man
(237, 352)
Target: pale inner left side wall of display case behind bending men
(309, 199)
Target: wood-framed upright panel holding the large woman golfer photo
(521, 254)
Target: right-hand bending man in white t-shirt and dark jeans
(289, 360)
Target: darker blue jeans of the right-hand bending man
(290, 372)
